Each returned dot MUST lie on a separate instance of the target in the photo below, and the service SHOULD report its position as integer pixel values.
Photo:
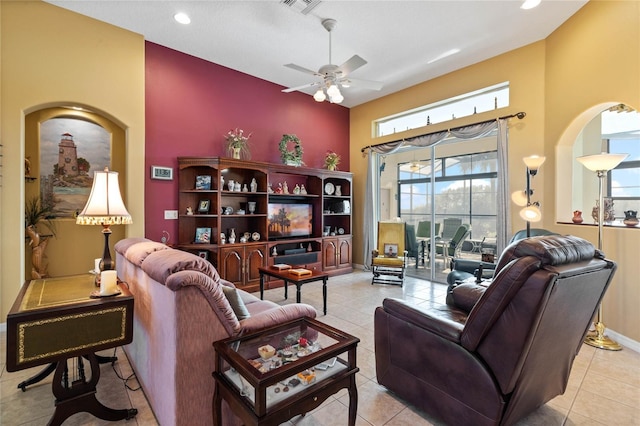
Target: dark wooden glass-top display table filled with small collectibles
(270, 376)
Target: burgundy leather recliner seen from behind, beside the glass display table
(500, 351)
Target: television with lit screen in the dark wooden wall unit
(288, 220)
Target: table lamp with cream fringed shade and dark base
(105, 207)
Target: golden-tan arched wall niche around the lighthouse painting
(73, 249)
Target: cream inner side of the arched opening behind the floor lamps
(582, 192)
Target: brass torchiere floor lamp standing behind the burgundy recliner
(601, 164)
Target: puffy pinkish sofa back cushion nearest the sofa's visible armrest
(159, 265)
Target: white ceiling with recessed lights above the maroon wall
(396, 38)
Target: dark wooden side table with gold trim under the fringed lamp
(54, 320)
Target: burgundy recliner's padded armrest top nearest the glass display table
(442, 320)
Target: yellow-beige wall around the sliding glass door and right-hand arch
(588, 63)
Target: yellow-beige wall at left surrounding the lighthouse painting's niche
(52, 57)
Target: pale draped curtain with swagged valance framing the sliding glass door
(468, 132)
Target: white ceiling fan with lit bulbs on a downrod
(332, 77)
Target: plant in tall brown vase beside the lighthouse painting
(36, 213)
